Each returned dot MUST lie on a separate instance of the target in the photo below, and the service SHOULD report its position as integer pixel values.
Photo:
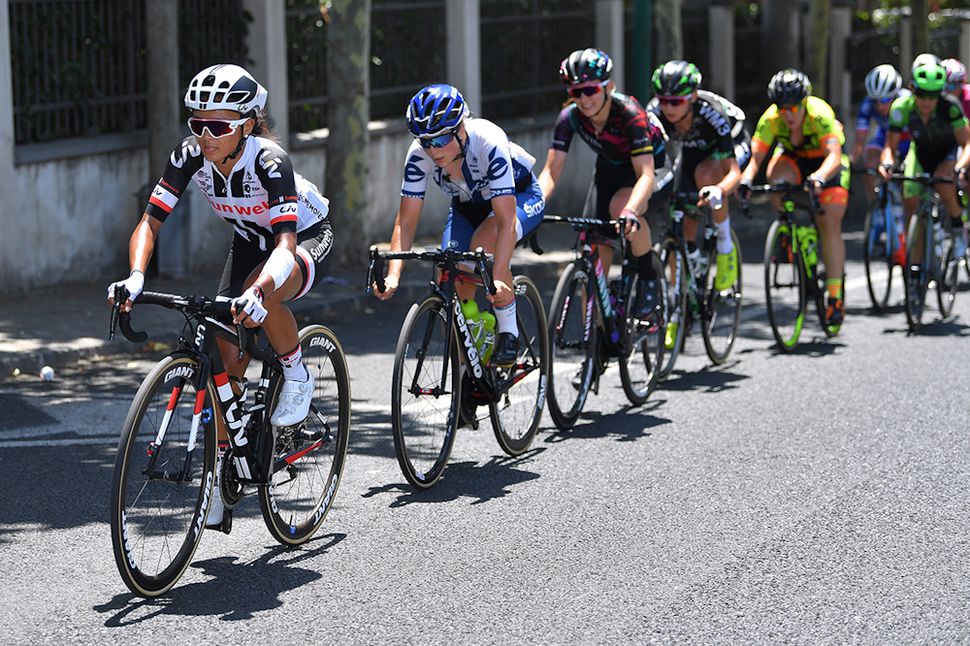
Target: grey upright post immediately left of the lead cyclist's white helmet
(173, 251)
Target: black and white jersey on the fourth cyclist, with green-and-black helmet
(715, 129)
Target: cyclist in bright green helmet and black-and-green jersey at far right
(937, 125)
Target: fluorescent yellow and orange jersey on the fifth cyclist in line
(820, 127)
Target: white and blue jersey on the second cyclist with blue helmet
(492, 167)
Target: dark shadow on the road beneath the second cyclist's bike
(480, 482)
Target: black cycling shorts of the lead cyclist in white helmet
(312, 257)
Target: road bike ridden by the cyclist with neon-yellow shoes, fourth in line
(690, 284)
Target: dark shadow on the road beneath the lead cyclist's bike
(256, 586)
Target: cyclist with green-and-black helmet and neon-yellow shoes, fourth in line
(714, 149)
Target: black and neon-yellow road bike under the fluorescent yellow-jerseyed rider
(793, 273)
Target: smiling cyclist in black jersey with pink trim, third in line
(629, 148)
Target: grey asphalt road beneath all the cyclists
(820, 497)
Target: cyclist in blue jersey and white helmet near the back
(883, 86)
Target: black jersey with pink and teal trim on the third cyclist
(629, 132)
